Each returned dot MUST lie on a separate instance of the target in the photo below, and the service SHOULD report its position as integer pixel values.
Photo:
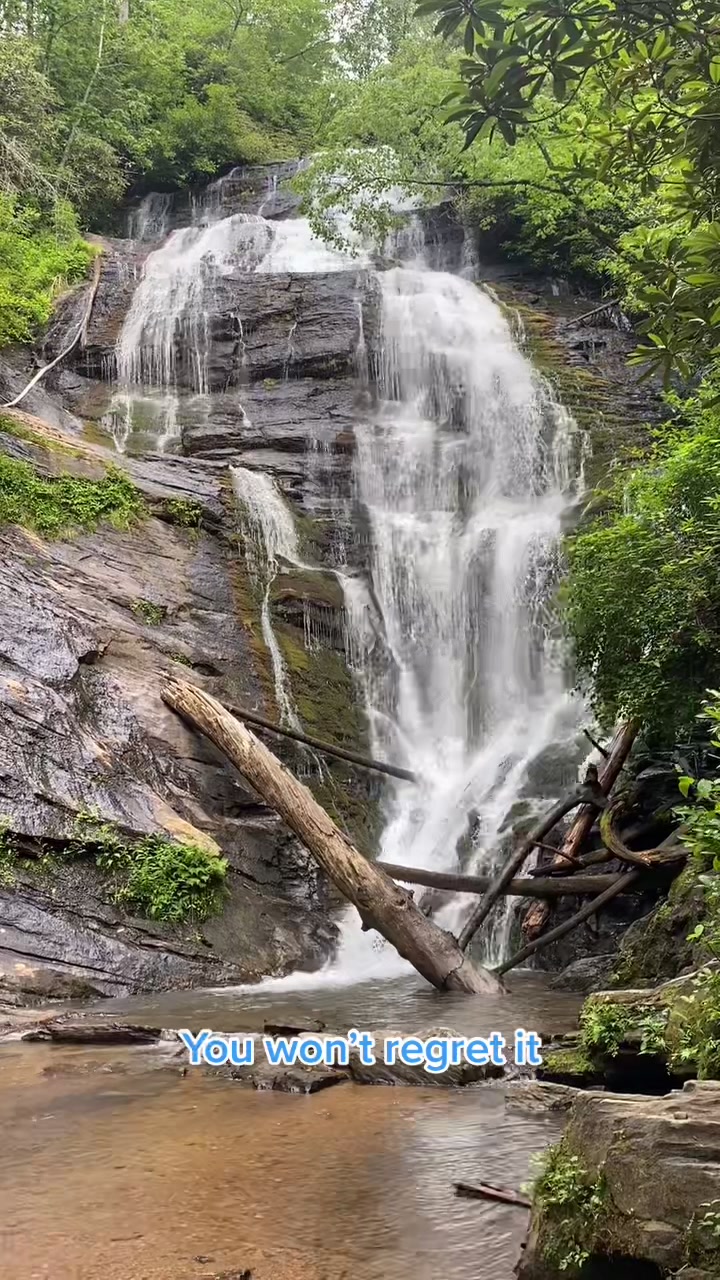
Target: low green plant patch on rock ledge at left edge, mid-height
(65, 505)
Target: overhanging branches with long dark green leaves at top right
(636, 84)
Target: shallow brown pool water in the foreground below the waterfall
(111, 1171)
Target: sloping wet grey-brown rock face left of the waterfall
(92, 627)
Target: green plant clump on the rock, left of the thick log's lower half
(157, 877)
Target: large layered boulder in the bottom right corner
(657, 1167)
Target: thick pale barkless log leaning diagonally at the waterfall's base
(382, 904)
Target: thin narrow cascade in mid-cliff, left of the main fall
(271, 542)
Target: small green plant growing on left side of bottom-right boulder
(573, 1205)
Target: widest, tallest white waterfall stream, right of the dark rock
(466, 472)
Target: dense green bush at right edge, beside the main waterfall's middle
(642, 602)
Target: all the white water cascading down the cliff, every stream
(464, 470)
